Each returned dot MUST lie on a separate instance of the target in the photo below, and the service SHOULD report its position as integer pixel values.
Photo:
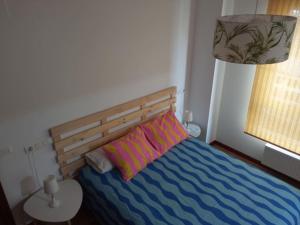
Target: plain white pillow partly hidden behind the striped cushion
(99, 161)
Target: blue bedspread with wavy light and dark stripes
(190, 185)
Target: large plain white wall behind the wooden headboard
(60, 60)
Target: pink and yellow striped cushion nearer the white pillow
(131, 153)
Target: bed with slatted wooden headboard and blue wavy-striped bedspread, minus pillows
(191, 184)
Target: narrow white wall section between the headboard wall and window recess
(203, 62)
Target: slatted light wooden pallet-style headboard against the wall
(75, 138)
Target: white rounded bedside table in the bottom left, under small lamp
(70, 197)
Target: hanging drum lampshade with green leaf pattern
(254, 39)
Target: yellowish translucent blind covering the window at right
(274, 108)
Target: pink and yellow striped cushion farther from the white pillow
(164, 132)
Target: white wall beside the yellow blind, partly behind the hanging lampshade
(235, 96)
